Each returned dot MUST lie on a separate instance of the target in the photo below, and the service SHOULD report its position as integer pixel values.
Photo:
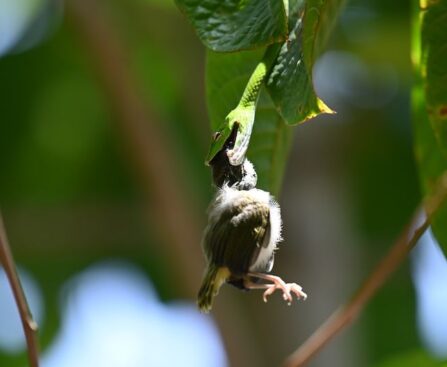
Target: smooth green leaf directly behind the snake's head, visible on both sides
(226, 78)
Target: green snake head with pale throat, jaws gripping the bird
(233, 136)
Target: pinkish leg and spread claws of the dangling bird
(277, 283)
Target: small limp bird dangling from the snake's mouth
(241, 237)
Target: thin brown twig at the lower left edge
(29, 325)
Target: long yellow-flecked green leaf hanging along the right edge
(429, 98)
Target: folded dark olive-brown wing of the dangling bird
(236, 236)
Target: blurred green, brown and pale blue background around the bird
(103, 132)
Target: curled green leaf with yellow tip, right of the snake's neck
(290, 83)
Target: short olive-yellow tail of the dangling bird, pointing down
(211, 283)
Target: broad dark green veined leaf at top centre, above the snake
(232, 25)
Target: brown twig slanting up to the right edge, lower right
(346, 314)
